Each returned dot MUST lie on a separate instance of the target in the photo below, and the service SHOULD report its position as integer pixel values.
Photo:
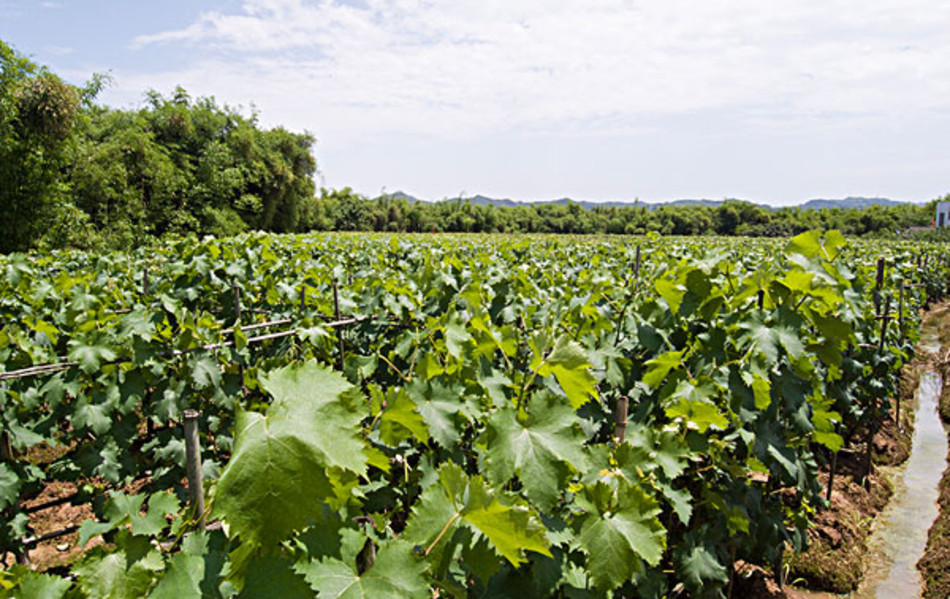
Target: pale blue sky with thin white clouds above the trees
(776, 102)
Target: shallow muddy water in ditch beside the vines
(902, 534)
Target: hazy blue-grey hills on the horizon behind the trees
(814, 204)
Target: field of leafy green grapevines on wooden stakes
(399, 416)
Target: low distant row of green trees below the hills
(344, 210)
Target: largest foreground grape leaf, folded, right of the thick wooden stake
(277, 477)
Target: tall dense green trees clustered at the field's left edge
(75, 173)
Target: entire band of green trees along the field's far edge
(76, 173)
